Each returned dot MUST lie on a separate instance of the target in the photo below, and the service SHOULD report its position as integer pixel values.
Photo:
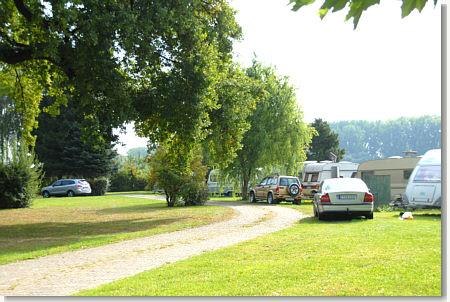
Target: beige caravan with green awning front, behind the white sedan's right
(397, 168)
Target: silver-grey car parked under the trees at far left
(67, 187)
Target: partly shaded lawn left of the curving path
(56, 225)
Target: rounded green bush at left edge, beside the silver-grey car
(20, 179)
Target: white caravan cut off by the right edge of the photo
(424, 185)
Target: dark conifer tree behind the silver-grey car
(60, 146)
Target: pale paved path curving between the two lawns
(67, 273)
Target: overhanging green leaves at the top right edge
(357, 7)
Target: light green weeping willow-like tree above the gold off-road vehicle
(278, 137)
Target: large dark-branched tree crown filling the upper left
(153, 61)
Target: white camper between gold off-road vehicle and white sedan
(314, 173)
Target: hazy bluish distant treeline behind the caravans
(365, 140)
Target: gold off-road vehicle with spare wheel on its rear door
(277, 188)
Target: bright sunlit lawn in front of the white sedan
(380, 257)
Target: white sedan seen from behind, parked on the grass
(349, 196)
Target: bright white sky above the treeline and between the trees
(389, 67)
